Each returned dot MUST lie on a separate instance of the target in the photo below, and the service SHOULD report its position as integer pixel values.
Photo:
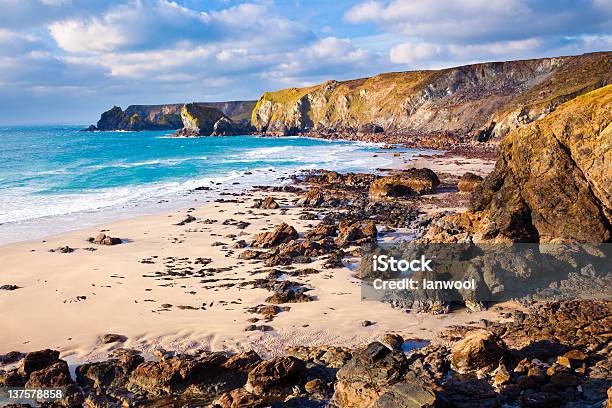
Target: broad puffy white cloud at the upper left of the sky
(141, 24)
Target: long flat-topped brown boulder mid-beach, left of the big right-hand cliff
(406, 183)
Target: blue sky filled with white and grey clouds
(66, 61)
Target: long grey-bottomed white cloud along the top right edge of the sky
(479, 21)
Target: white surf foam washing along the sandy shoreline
(25, 207)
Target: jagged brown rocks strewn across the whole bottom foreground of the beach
(554, 355)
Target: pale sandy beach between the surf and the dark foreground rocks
(67, 301)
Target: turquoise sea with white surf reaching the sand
(56, 178)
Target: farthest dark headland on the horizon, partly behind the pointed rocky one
(166, 117)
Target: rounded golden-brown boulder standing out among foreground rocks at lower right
(479, 352)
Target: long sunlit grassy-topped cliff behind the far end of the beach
(482, 100)
